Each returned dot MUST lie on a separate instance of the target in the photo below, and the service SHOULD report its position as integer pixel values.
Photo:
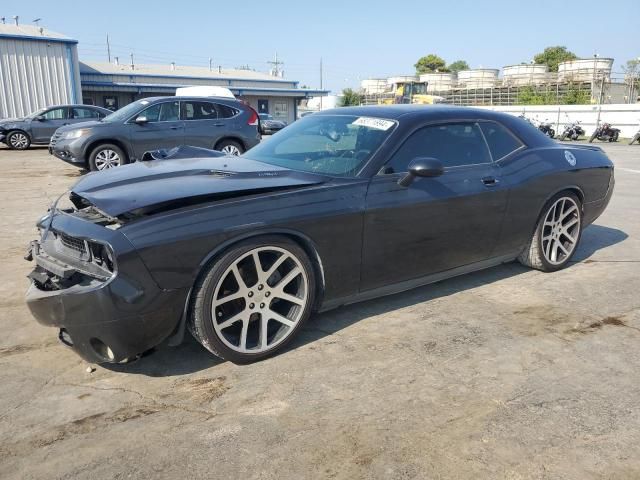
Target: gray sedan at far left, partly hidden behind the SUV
(37, 128)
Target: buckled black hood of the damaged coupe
(148, 187)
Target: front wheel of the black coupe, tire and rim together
(252, 300)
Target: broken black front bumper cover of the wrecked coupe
(104, 320)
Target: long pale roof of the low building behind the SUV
(180, 71)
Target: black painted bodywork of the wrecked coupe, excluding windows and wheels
(365, 234)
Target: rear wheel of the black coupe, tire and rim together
(557, 234)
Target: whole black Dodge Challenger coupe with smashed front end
(341, 206)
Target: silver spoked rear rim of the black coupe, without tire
(561, 230)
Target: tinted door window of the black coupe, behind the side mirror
(454, 144)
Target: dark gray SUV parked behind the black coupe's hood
(217, 123)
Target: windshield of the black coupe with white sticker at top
(336, 145)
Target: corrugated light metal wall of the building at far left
(36, 74)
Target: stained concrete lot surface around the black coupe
(508, 373)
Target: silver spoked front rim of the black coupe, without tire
(259, 299)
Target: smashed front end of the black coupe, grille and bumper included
(90, 283)
